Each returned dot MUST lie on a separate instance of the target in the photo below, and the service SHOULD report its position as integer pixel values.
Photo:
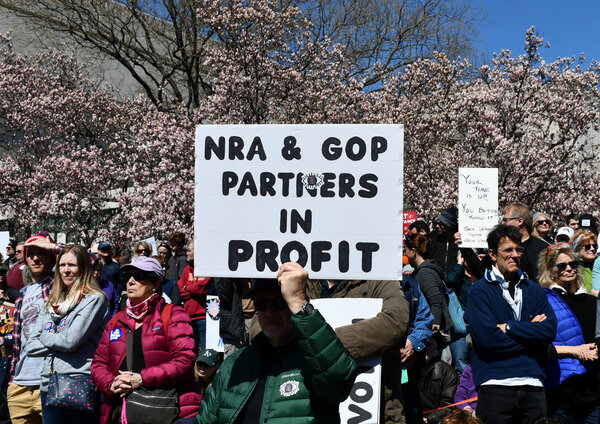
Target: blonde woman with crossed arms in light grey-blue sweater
(69, 328)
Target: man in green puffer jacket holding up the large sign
(295, 371)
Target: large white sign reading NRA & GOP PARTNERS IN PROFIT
(326, 196)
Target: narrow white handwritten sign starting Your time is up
(477, 204)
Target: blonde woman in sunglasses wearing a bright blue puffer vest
(572, 384)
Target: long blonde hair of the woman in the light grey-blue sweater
(84, 285)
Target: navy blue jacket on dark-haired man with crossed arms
(523, 351)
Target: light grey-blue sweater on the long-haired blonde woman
(71, 341)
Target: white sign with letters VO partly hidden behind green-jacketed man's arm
(362, 406)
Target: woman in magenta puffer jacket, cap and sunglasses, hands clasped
(161, 358)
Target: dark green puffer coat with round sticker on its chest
(307, 379)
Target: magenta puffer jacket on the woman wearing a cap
(169, 358)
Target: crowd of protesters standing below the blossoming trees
(503, 334)
